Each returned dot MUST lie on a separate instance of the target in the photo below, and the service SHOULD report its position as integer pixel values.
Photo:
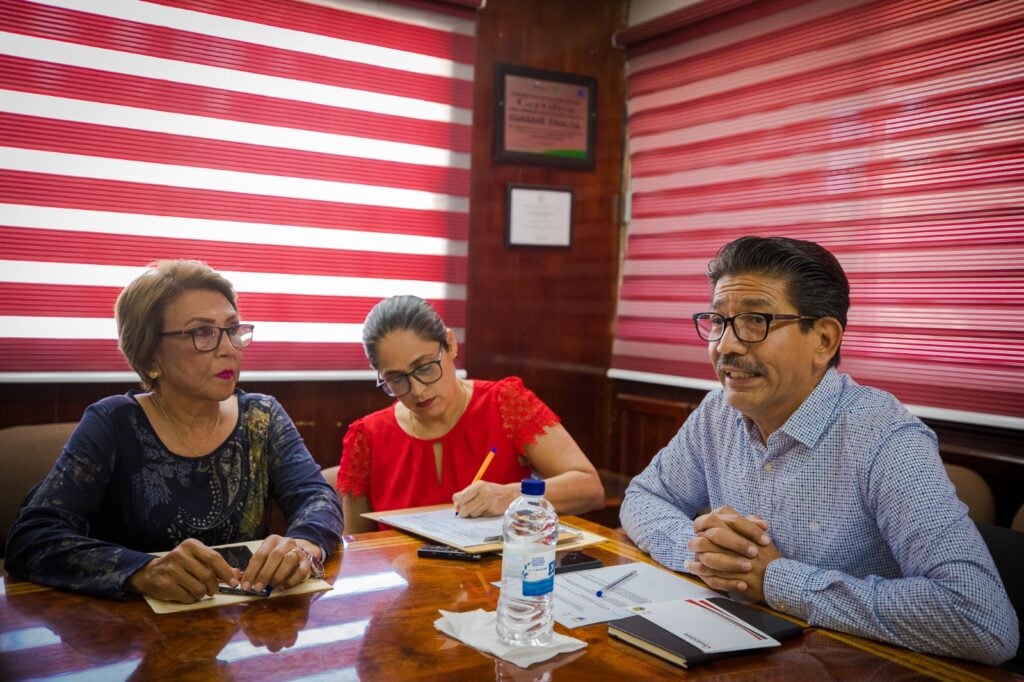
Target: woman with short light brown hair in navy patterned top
(187, 463)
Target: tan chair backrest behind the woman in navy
(27, 454)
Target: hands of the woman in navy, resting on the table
(192, 571)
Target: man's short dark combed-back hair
(816, 283)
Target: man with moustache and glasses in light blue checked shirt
(830, 500)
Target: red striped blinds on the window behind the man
(892, 133)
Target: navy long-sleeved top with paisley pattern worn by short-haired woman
(117, 494)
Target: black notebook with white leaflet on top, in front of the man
(690, 632)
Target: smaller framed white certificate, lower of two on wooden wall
(539, 217)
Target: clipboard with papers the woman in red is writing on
(484, 535)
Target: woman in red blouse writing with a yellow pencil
(426, 448)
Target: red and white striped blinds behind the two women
(316, 154)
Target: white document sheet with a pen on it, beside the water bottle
(577, 603)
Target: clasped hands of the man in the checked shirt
(732, 552)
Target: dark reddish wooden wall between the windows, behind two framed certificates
(546, 315)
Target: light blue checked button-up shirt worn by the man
(875, 539)
